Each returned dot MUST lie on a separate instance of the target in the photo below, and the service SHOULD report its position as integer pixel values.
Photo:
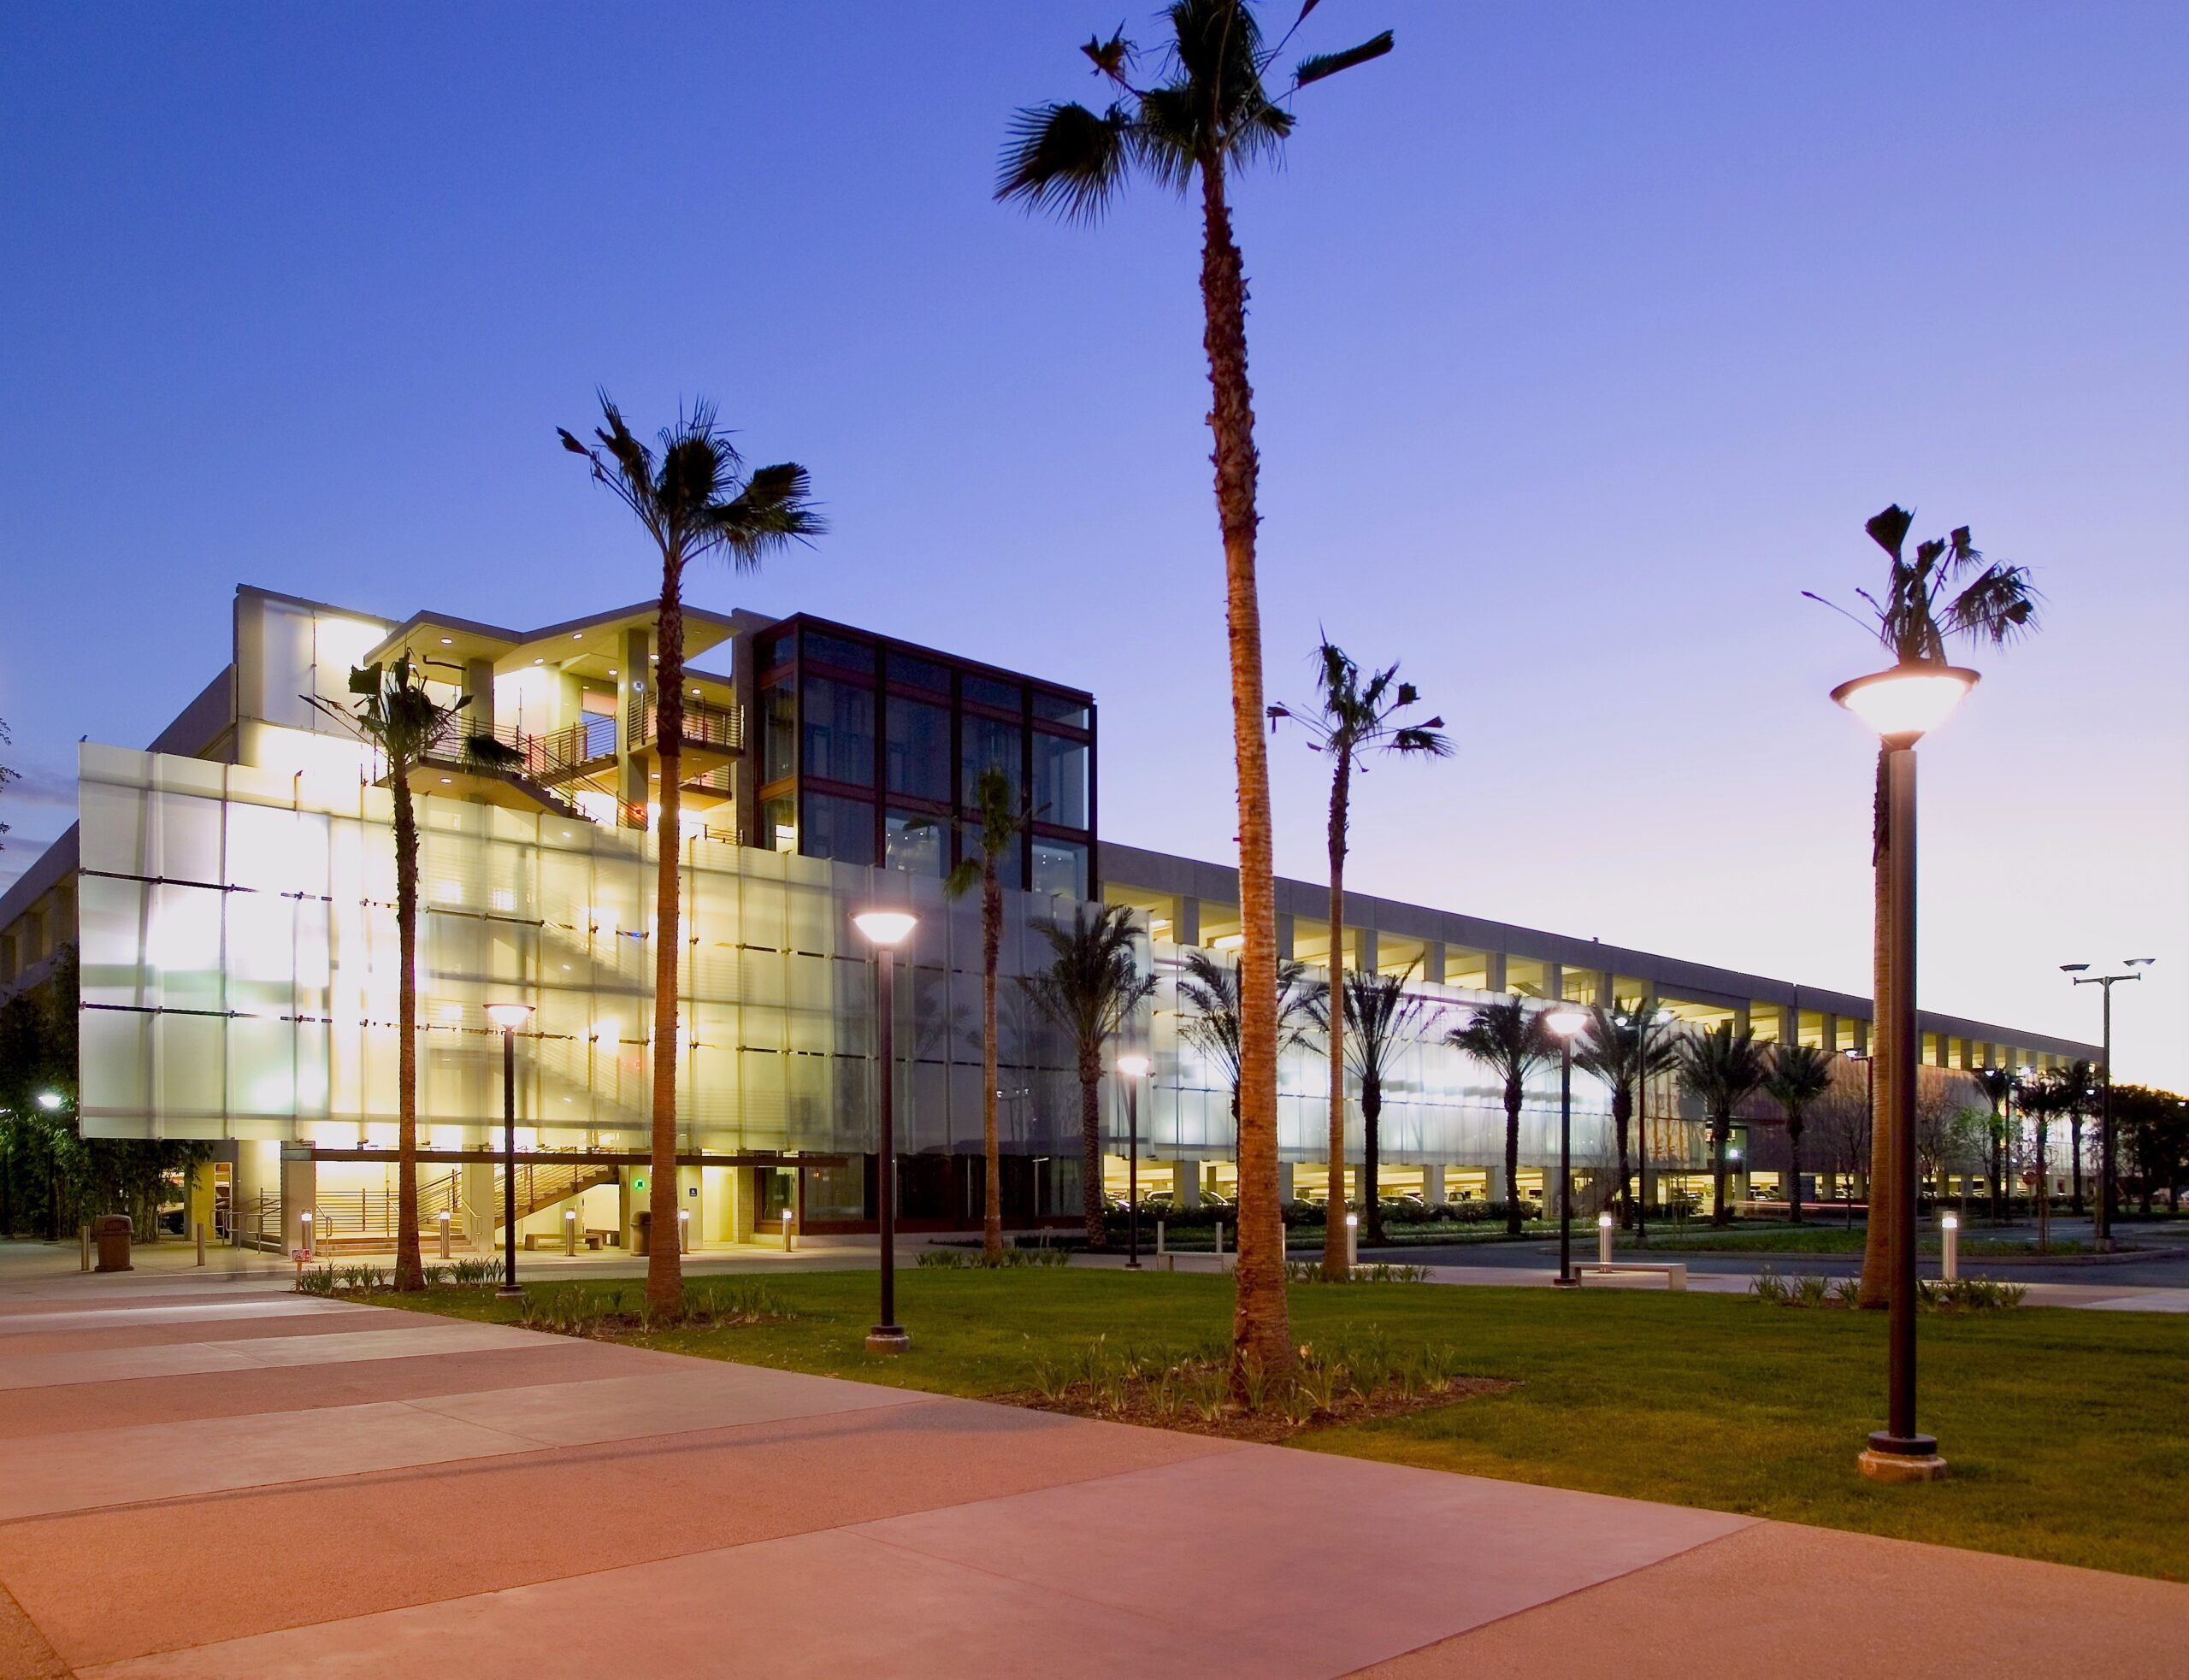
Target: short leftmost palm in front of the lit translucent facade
(404, 723)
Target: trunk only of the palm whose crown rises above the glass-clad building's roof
(664, 1250)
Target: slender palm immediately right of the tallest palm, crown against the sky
(1354, 721)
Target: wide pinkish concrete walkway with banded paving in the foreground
(207, 1478)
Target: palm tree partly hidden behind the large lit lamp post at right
(1947, 592)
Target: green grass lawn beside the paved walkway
(2065, 1430)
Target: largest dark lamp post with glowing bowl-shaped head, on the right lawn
(1903, 705)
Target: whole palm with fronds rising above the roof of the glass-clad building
(695, 500)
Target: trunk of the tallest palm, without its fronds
(1262, 1327)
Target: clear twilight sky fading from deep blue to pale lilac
(1584, 340)
